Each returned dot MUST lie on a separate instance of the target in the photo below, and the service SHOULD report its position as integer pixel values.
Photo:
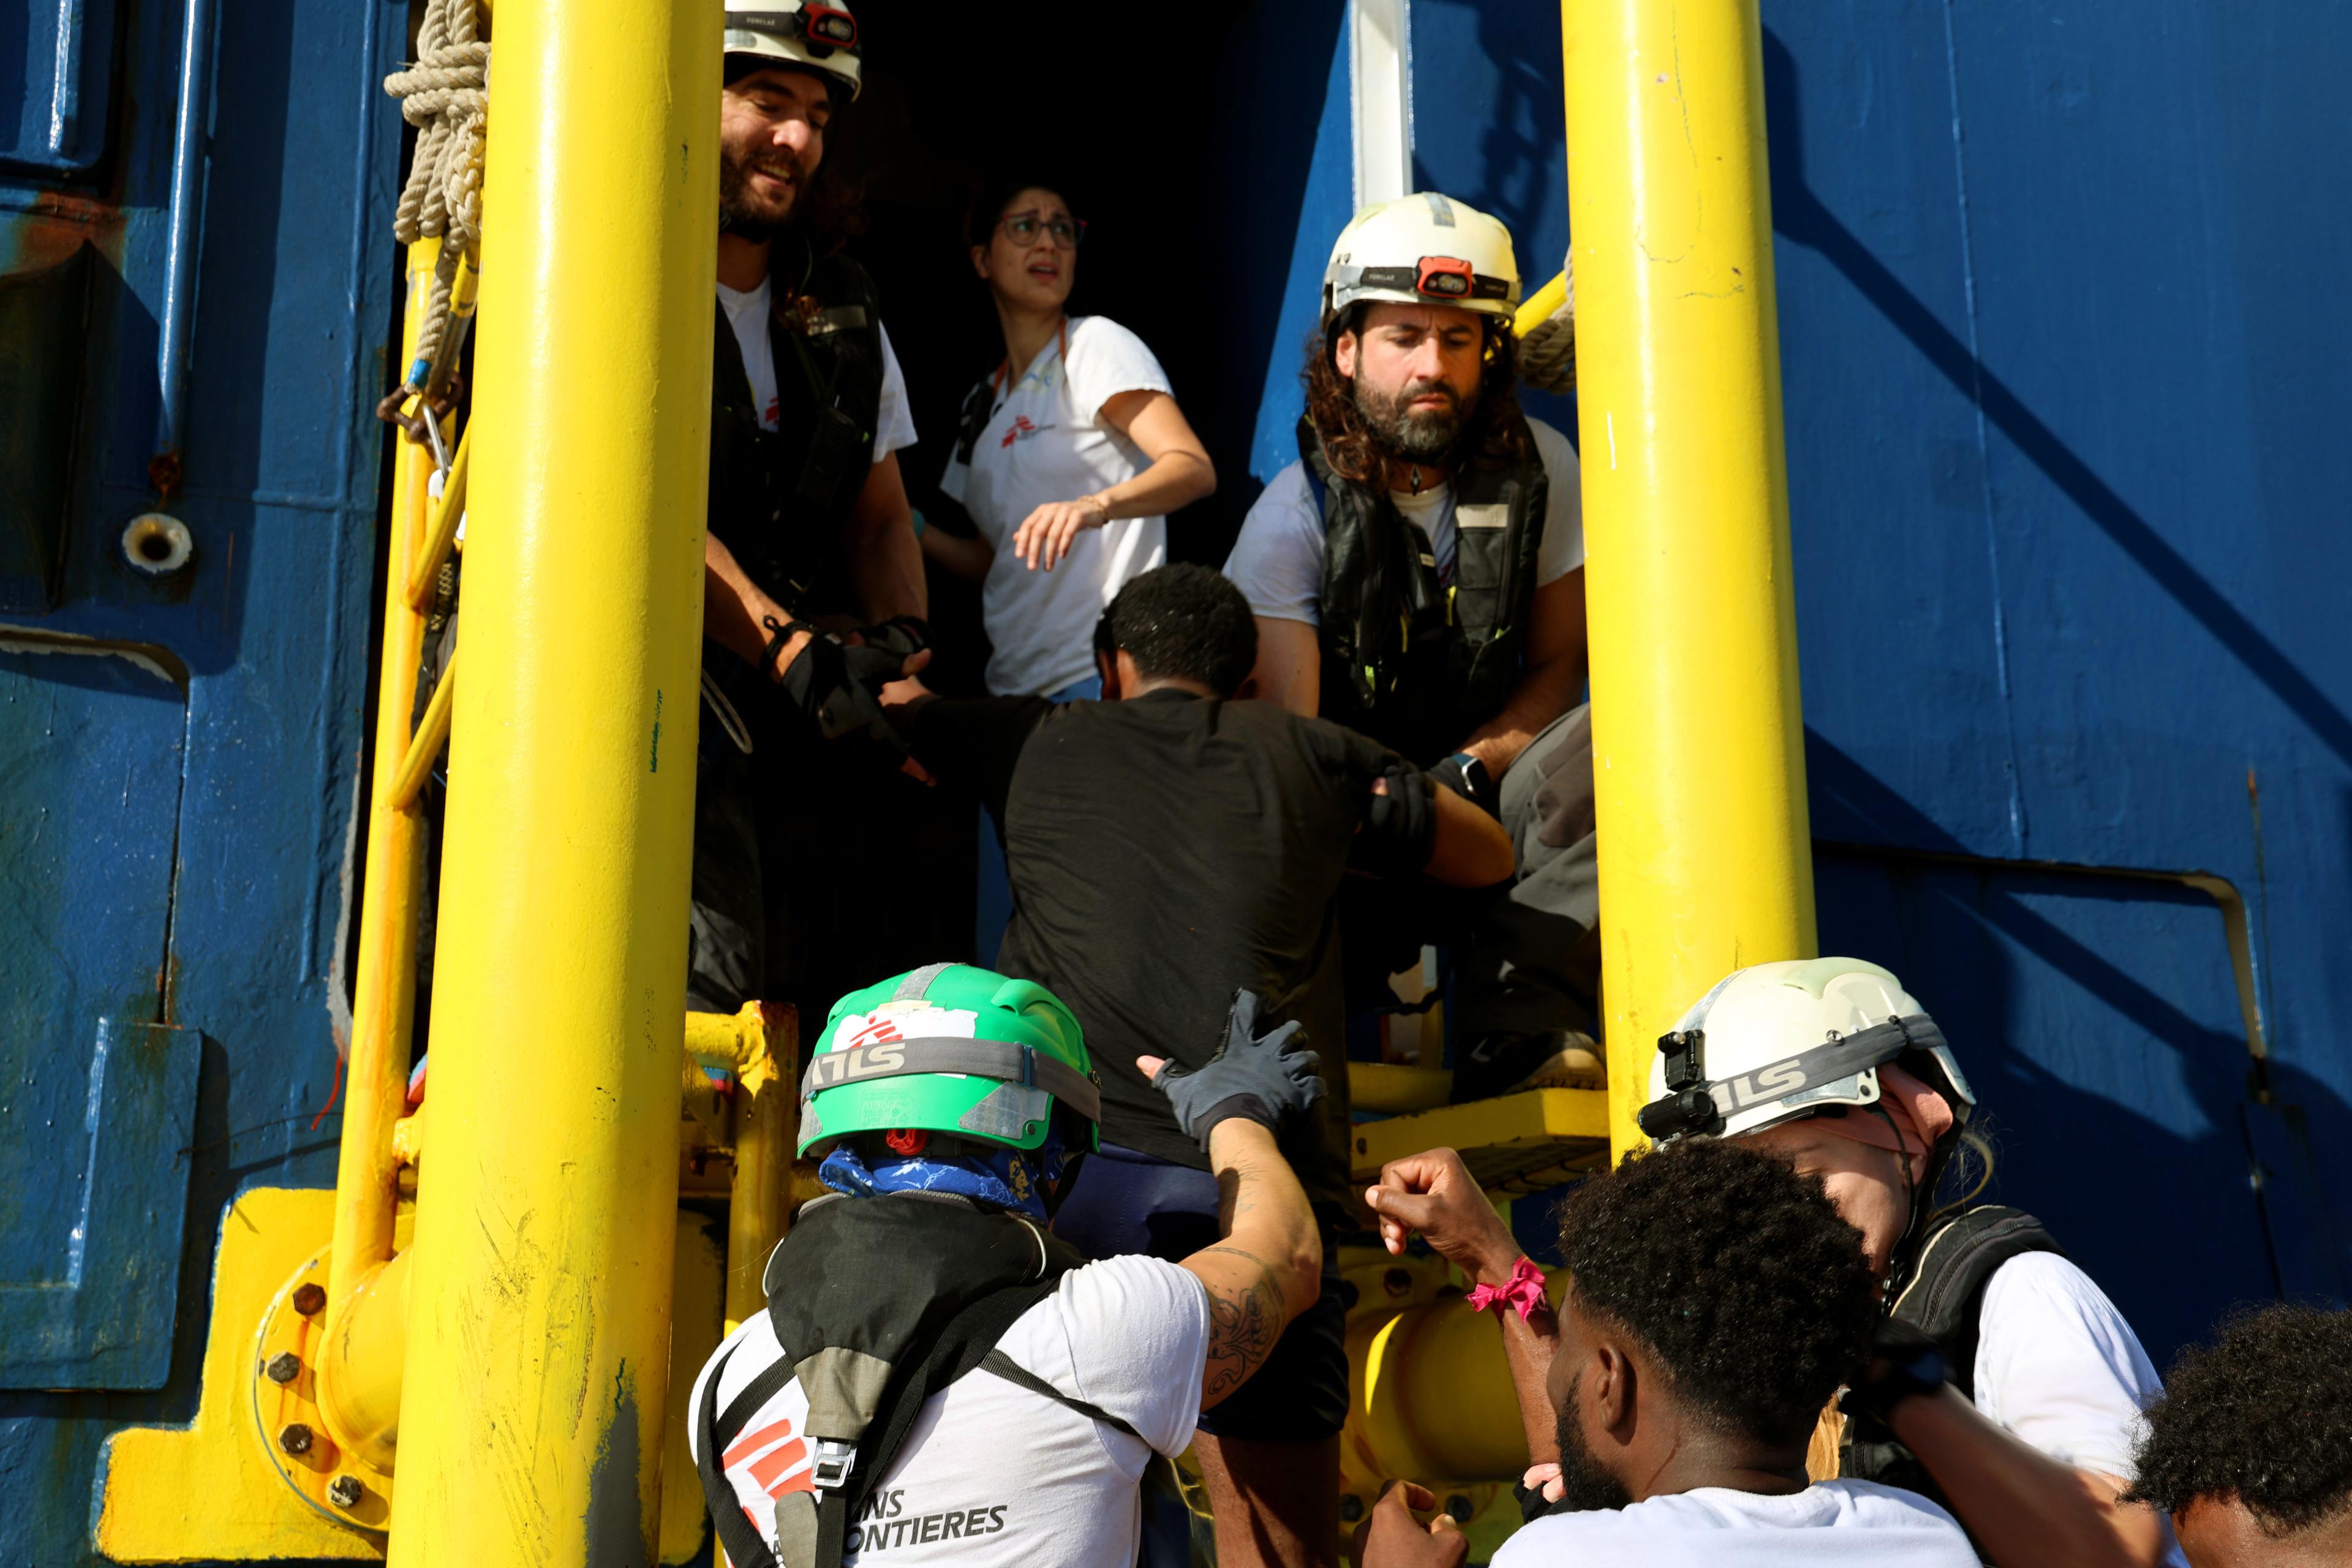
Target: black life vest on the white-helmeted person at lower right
(1944, 1301)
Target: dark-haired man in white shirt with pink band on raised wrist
(1716, 1301)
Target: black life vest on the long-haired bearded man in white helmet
(1408, 659)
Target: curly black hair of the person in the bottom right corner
(2264, 1416)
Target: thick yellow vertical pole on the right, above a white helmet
(1697, 739)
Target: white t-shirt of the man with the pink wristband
(1831, 1525)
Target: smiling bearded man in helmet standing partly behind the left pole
(810, 558)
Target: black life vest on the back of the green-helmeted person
(878, 1306)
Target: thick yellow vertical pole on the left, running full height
(530, 1419)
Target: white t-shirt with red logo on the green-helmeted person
(994, 1475)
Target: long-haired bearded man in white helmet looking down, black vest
(1419, 577)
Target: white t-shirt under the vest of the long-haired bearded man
(1278, 558)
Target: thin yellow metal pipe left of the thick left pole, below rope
(385, 989)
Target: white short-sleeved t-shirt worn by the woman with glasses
(1045, 441)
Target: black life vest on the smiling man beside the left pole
(780, 497)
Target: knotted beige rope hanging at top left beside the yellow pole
(446, 95)
